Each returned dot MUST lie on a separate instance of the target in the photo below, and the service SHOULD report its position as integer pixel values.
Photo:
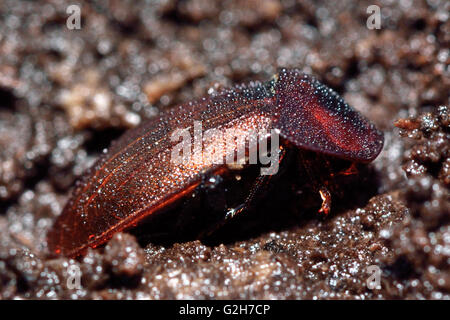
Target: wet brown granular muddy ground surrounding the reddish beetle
(66, 94)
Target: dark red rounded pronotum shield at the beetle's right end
(314, 117)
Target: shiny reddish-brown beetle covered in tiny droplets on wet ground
(136, 179)
